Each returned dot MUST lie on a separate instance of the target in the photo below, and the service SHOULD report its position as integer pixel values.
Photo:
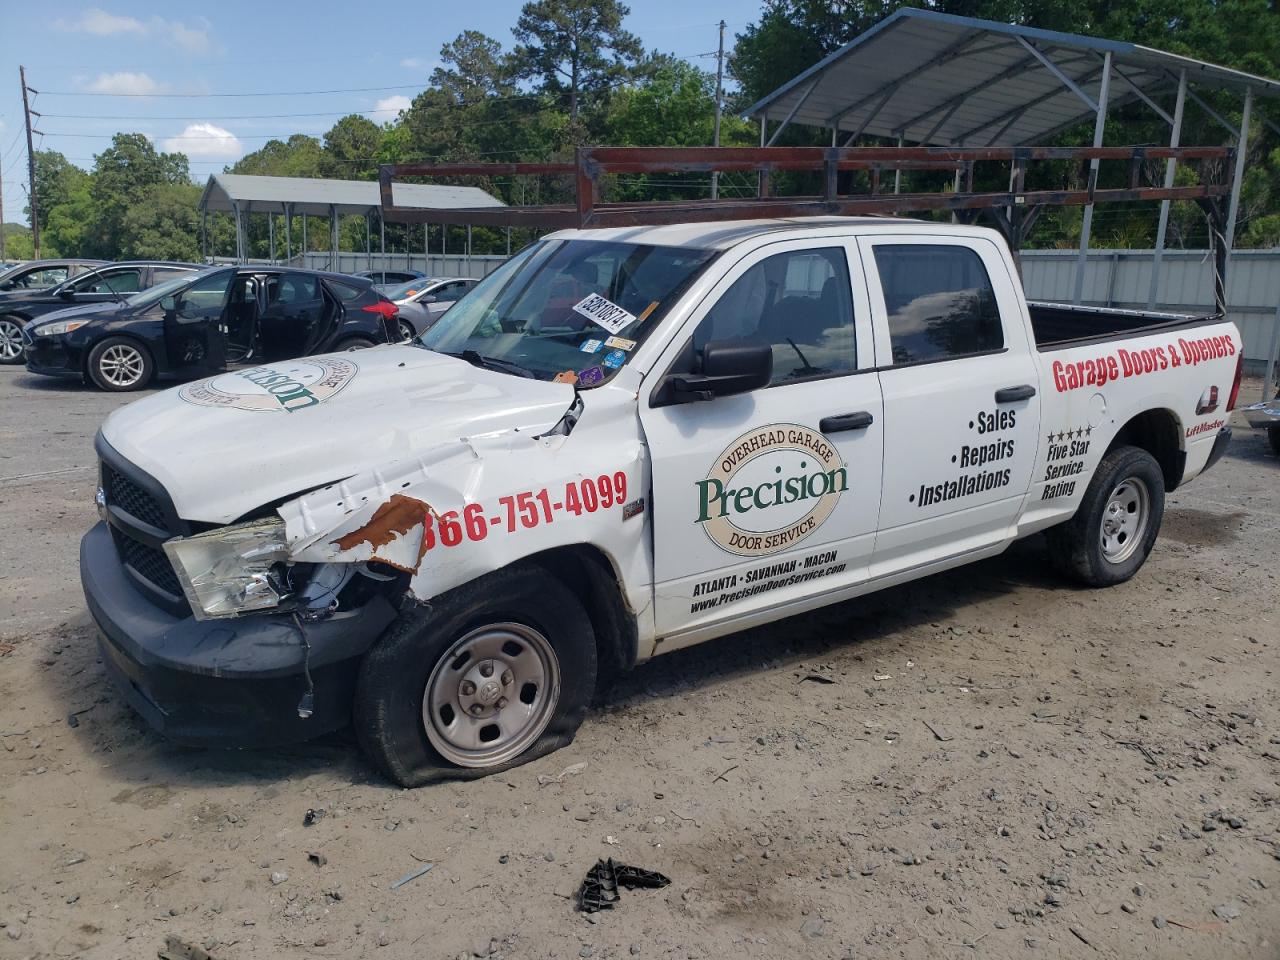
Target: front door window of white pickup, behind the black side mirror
(801, 304)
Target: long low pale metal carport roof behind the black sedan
(318, 198)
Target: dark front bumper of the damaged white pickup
(225, 683)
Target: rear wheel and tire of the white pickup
(1118, 522)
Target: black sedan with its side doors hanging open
(198, 324)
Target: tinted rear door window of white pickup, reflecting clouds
(940, 303)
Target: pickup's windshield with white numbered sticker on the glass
(568, 310)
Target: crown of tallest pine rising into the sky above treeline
(575, 47)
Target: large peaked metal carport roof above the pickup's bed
(957, 81)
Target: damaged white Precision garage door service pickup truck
(621, 444)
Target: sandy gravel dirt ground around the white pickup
(980, 765)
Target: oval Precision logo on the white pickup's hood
(286, 388)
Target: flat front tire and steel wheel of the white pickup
(417, 697)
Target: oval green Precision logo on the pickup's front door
(770, 490)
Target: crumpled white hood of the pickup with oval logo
(227, 446)
